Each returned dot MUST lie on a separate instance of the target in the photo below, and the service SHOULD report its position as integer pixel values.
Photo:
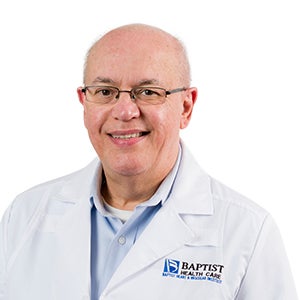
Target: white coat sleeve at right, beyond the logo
(268, 275)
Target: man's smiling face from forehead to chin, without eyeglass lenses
(133, 138)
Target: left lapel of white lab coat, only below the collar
(74, 250)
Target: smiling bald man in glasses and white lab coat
(143, 221)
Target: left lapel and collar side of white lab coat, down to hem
(73, 233)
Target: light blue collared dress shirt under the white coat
(111, 239)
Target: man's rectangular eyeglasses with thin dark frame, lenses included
(106, 94)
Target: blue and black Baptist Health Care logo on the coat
(192, 271)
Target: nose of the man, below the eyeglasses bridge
(125, 107)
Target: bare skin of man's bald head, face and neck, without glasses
(126, 57)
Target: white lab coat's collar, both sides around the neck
(191, 184)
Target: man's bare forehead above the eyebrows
(133, 54)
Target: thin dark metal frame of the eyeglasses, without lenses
(131, 92)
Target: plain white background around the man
(245, 62)
